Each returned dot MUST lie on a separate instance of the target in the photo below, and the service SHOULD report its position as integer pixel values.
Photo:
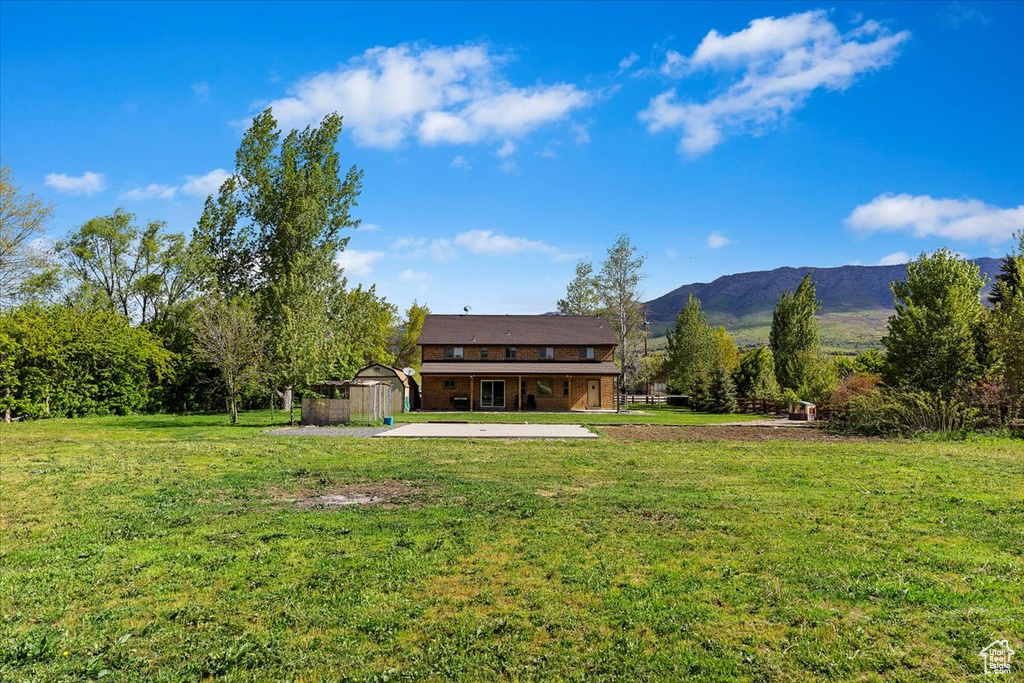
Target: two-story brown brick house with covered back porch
(518, 363)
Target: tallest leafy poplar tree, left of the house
(276, 229)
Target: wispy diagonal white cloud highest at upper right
(781, 63)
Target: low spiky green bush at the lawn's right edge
(906, 413)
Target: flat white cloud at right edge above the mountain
(924, 217)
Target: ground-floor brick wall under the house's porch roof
(438, 398)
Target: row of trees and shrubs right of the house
(945, 352)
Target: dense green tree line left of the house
(250, 309)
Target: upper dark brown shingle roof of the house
(514, 330)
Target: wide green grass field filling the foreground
(156, 548)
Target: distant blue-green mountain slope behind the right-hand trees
(857, 302)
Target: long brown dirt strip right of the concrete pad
(722, 434)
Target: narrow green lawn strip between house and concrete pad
(638, 414)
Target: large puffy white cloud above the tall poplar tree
(436, 96)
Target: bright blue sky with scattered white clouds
(501, 143)
